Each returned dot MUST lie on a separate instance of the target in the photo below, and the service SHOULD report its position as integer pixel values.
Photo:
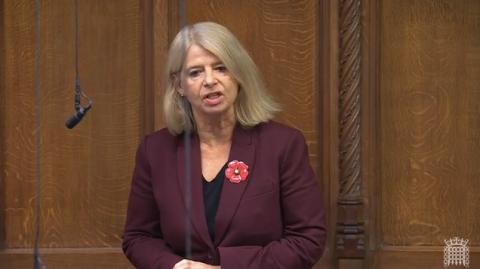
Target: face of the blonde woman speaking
(207, 84)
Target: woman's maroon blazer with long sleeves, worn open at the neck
(274, 219)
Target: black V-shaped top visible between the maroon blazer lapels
(211, 197)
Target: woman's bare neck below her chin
(214, 131)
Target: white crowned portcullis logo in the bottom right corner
(456, 252)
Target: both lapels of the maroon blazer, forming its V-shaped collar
(242, 149)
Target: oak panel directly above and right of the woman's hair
(282, 38)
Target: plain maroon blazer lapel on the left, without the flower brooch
(198, 218)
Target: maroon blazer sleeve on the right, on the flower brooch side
(304, 232)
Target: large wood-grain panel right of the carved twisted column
(429, 120)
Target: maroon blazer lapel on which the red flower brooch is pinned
(242, 149)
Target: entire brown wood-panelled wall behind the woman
(413, 65)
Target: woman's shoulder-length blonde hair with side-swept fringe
(252, 106)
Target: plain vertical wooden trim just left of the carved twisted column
(328, 119)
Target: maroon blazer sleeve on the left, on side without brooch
(142, 240)
